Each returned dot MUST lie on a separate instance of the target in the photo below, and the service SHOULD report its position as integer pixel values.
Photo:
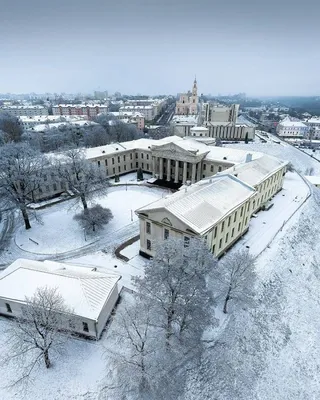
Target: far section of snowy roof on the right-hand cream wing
(256, 171)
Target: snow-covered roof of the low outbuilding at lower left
(84, 290)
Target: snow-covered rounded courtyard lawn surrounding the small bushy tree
(58, 232)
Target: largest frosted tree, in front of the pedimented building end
(175, 282)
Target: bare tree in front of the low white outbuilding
(37, 332)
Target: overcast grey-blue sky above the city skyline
(148, 46)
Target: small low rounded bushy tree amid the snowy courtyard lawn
(94, 217)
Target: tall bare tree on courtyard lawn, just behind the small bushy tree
(83, 178)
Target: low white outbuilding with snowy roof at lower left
(90, 294)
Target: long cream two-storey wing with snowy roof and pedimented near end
(217, 209)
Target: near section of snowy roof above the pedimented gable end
(201, 205)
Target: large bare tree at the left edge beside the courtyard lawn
(21, 173)
